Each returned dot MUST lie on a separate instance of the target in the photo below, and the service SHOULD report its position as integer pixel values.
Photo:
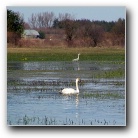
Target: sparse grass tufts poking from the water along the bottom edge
(49, 121)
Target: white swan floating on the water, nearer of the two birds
(71, 90)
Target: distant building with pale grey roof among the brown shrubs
(30, 34)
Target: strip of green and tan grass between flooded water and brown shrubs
(65, 54)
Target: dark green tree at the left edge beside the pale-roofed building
(15, 27)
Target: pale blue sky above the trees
(106, 13)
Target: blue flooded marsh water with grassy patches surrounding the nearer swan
(33, 96)
